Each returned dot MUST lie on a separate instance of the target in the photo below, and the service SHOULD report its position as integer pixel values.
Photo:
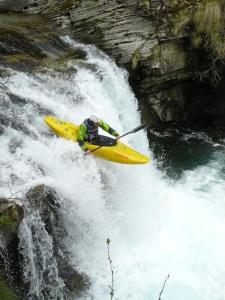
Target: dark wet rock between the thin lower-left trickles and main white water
(46, 201)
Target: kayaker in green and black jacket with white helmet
(88, 132)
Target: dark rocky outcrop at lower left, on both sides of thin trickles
(45, 200)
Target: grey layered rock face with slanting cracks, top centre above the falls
(115, 26)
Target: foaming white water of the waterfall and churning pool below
(156, 226)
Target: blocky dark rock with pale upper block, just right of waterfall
(161, 84)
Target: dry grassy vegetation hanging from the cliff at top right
(205, 23)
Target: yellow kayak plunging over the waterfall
(119, 153)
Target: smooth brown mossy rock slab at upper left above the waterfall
(31, 41)
